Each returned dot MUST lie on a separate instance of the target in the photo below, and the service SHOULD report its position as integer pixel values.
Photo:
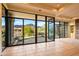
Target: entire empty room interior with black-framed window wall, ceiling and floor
(39, 29)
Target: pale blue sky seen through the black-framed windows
(19, 22)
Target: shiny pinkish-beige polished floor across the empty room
(61, 47)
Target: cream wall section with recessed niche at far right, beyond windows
(71, 29)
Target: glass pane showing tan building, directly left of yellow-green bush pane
(18, 32)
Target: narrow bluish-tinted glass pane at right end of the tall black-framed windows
(50, 29)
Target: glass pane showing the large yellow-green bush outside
(29, 31)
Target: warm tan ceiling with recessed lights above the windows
(61, 11)
